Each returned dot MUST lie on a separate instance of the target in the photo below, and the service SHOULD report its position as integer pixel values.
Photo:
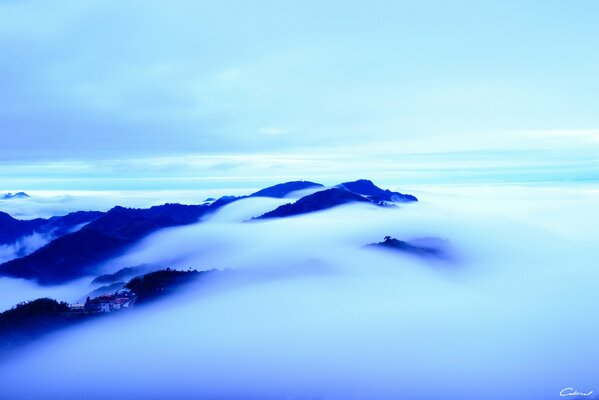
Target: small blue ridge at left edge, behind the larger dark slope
(12, 229)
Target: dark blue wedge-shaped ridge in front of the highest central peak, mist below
(315, 202)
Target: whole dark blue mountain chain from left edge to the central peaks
(106, 235)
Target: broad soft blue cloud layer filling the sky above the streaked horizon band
(200, 79)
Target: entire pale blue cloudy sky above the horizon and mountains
(102, 95)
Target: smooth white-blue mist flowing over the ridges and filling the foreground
(511, 315)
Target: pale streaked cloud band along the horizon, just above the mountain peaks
(523, 158)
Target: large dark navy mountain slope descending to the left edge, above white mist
(75, 254)
